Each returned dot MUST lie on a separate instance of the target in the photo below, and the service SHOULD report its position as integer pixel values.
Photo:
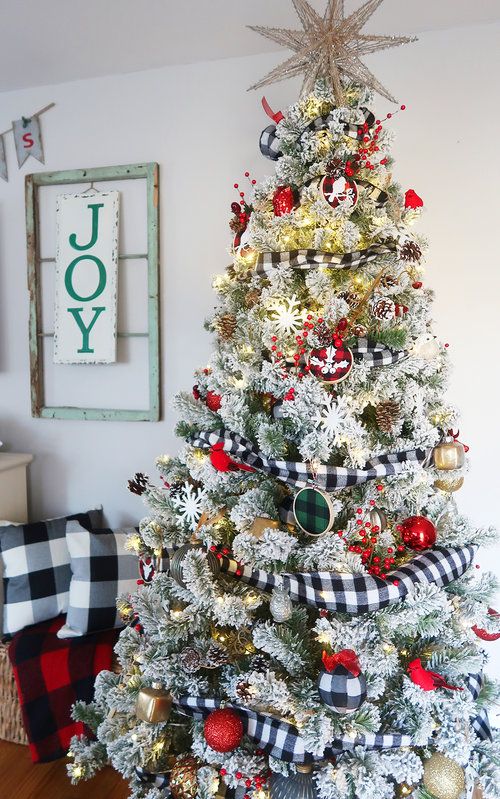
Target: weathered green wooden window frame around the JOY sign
(149, 172)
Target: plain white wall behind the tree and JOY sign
(202, 126)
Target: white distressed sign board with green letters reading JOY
(86, 278)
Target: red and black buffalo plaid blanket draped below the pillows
(51, 675)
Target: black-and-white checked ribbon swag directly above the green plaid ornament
(299, 474)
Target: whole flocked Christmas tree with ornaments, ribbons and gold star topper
(311, 623)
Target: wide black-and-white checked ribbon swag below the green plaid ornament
(359, 593)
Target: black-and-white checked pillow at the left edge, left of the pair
(36, 569)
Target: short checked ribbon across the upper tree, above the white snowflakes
(307, 259)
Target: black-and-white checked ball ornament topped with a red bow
(341, 684)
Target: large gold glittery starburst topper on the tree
(330, 46)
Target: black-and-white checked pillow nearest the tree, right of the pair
(101, 570)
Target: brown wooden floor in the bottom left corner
(20, 779)
